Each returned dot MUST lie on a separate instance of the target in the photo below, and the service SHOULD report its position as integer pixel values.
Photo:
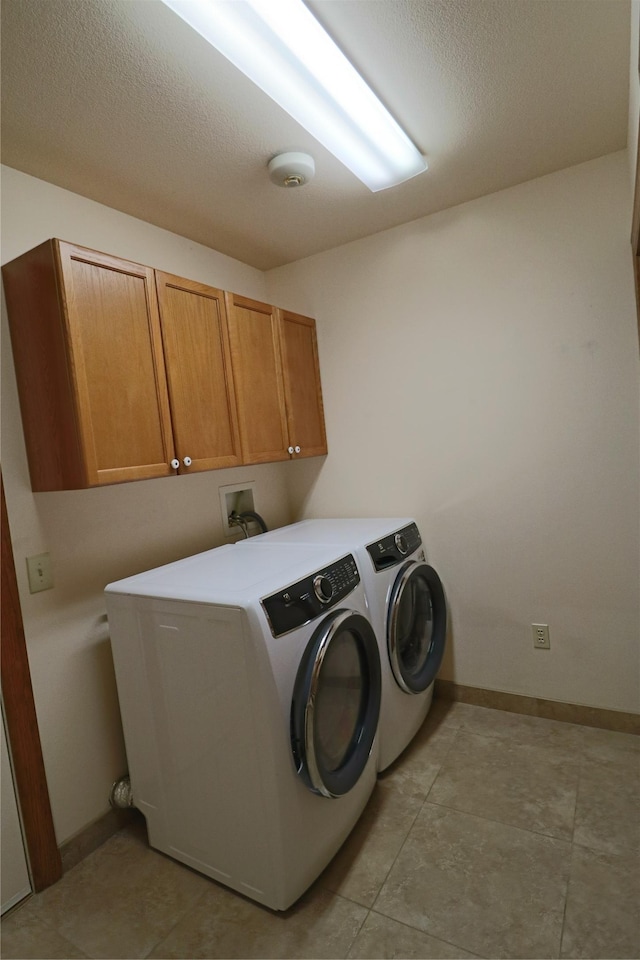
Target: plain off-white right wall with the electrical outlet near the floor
(480, 372)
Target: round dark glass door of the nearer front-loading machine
(336, 703)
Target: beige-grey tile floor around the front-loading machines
(494, 835)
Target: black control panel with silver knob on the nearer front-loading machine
(307, 599)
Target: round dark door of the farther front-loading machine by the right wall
(416, 626)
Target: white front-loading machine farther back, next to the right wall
(408, 612)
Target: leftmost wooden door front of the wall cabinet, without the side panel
(117, 365)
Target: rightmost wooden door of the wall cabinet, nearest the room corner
(301, 376)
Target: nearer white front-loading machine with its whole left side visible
(249, 684)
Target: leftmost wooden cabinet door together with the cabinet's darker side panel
(88, 355)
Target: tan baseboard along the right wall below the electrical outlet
(537, 707)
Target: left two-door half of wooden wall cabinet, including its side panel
(93, 377)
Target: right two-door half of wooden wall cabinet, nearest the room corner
(275, 367)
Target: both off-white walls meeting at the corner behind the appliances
(480, 371)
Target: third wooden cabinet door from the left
(255, 354)
